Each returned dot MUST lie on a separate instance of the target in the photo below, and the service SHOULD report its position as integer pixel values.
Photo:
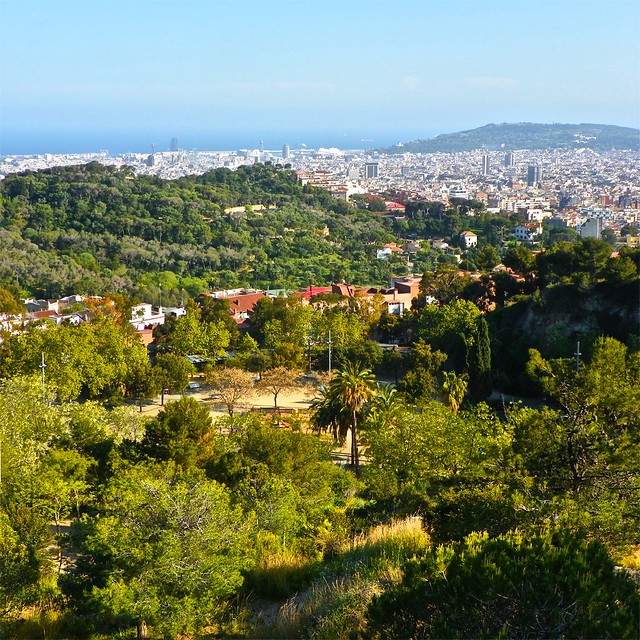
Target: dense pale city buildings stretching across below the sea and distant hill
(582, 189)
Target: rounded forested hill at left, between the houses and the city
(93, 229)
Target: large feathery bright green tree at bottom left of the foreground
(166, 551)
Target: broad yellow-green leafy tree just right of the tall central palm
(414, 456)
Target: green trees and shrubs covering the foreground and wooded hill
(452, 513)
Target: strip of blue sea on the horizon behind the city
(28, 142)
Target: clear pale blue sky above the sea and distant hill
(387, 70)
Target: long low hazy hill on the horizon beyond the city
(528, 135)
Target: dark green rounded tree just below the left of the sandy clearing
(178, 433)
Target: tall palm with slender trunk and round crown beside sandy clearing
(352, 387)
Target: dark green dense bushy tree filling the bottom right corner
(551, 584)
